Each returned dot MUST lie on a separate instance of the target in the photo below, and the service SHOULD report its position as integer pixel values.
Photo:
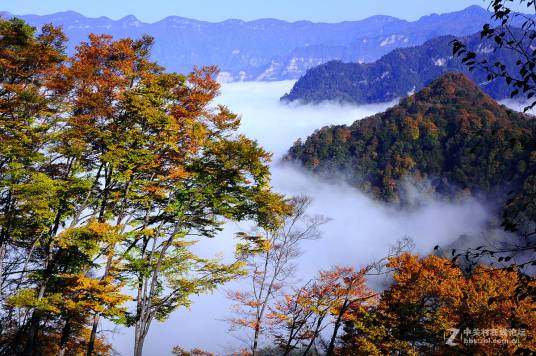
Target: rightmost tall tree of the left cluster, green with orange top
(210, 177)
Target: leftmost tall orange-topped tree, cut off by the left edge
(28, 103)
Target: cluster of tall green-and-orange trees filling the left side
(119, 168)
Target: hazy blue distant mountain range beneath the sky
(268, 49)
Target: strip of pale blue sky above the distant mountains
(217, 10)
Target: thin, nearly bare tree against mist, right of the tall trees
(269, 255)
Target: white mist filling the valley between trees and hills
(360, 231)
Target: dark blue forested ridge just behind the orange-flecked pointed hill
(398, 73)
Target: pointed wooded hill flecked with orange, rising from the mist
(450, 135)
